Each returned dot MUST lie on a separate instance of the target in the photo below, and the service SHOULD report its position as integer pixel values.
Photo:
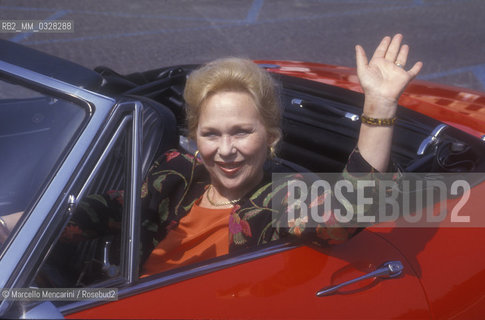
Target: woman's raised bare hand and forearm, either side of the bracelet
(383, 80)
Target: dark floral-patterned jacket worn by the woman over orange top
(176, 180)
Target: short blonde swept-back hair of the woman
(234, 74)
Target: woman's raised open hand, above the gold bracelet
(384, 77)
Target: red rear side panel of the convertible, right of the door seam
(449, 260)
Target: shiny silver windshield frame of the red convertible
(21, 246)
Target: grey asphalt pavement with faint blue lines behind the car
(128, 36)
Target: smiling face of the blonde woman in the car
(232, 142)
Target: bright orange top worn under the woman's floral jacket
(200, 235)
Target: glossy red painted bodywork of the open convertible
(444, 268)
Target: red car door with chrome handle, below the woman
(277, 281)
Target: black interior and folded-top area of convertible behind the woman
(321, 124)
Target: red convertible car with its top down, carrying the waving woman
(67, 133)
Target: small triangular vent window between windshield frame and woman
(89, 250)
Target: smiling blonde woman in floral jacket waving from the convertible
(233, 116)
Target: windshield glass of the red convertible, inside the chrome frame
(35, 131)
